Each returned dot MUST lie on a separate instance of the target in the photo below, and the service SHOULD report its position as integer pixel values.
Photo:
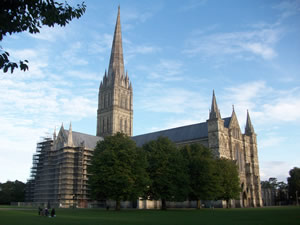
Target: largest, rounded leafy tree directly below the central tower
(118, 170)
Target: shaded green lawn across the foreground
(258, 216)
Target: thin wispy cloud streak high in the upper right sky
(260, 42)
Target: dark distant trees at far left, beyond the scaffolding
(12, 191)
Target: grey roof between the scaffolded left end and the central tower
(90, 141)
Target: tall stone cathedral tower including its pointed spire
(115, 111)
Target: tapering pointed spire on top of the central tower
(116, 64)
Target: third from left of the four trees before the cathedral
(202, 173)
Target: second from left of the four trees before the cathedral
(167, 170)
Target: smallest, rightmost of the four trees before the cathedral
(228, 178)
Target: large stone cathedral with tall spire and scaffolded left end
(59, 173)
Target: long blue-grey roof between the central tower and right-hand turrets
(179, 134)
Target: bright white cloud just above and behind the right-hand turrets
(266, 104)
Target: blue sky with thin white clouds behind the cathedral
(176, 53)
